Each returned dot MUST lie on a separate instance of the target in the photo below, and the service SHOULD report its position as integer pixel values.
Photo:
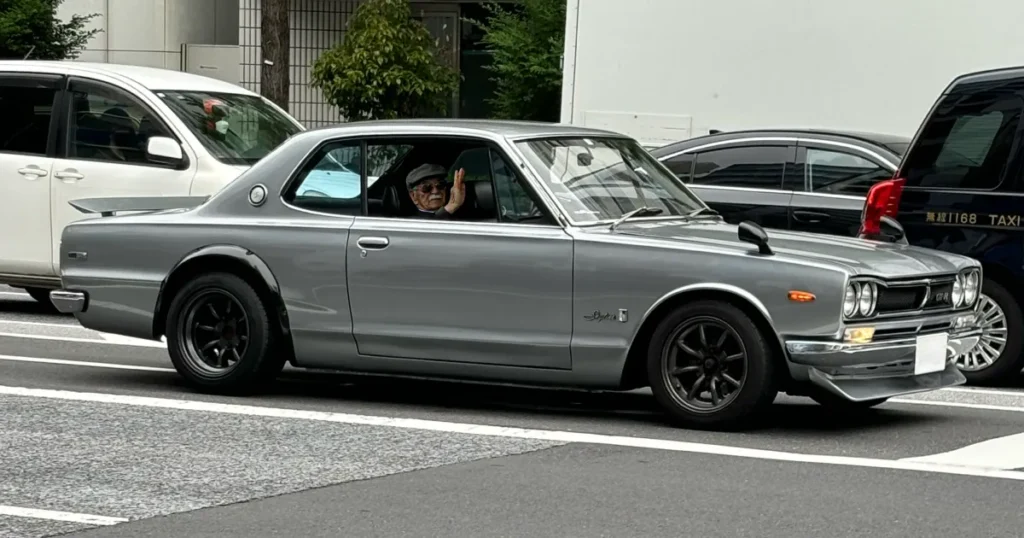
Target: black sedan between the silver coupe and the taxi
(802, 180)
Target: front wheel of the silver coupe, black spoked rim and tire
(675, 370)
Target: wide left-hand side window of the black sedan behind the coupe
(756, 168)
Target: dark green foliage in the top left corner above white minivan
(25, 24)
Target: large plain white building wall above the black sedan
(670, 69)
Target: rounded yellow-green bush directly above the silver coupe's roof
(387, 68)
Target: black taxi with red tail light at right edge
(960, 189)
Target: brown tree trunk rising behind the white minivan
(275, 80)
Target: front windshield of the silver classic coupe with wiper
(598, 180)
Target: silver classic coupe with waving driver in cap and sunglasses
(516, 253)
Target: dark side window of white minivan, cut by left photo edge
(27, 111)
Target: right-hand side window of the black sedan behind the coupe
(841, 173)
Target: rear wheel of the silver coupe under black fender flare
(201, 341)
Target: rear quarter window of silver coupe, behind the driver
(330, 182)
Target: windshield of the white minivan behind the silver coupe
(235, 129)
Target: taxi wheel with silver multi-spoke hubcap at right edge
(1002, 318)
